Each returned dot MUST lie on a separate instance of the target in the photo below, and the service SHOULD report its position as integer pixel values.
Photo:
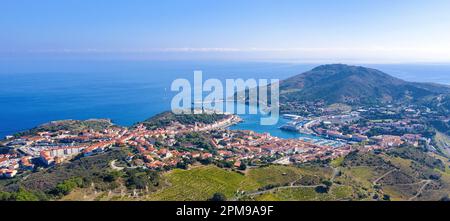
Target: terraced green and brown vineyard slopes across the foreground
(358, 176)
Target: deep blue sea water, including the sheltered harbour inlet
(36, 92)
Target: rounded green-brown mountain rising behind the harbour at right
(339, 83)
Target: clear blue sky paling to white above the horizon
(379, 31)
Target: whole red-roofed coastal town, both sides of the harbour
(179, 145)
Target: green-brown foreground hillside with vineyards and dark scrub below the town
(400, 174)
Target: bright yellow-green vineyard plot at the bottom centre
(202, 182)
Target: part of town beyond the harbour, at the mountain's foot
(395, 126)
